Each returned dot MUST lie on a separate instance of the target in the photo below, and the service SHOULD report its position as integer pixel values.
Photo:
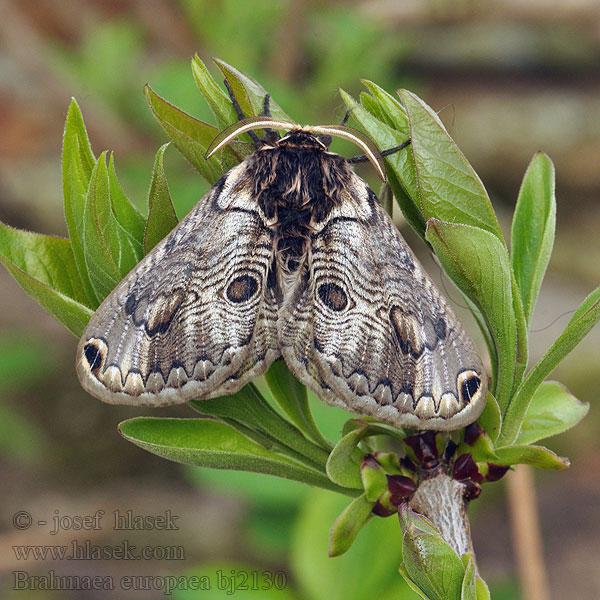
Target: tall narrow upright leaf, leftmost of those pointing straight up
(78, 161)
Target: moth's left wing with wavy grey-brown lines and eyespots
(194, 318)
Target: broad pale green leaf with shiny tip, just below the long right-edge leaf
(552, 410)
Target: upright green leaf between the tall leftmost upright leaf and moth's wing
(110, 250)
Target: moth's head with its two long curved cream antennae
(318, 136)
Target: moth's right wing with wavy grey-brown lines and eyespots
(368, 330)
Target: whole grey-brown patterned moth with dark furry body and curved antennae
(290, 255)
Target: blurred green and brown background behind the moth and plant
(509, 78)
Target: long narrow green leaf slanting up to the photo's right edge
(584, 319)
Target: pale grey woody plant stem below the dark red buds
(441, 499)
